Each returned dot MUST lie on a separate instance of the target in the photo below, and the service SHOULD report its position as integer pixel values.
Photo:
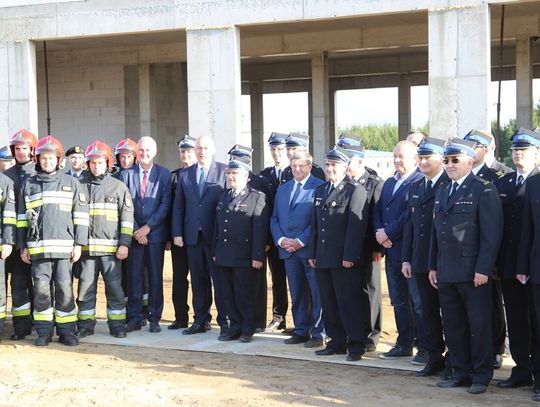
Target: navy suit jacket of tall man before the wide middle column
(192, 214)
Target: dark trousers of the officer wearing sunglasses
(466, 312)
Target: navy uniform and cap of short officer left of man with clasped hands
(241, 234)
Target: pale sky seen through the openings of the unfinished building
(288, 112)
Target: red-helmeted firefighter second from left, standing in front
(52, 212)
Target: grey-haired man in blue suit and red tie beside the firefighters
(150, 188)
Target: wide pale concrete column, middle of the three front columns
(214, 90)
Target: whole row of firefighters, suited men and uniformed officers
(457, 236)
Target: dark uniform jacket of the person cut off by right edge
(528, 256)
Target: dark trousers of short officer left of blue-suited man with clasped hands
(238, 287)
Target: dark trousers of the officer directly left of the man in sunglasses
(431, 312)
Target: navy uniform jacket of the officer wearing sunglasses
(467, 231)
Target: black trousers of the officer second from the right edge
(519, 306)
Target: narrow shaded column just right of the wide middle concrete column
(257, 125)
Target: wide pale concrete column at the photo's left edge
(18, 89)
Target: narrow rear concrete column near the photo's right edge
(524, 76)
